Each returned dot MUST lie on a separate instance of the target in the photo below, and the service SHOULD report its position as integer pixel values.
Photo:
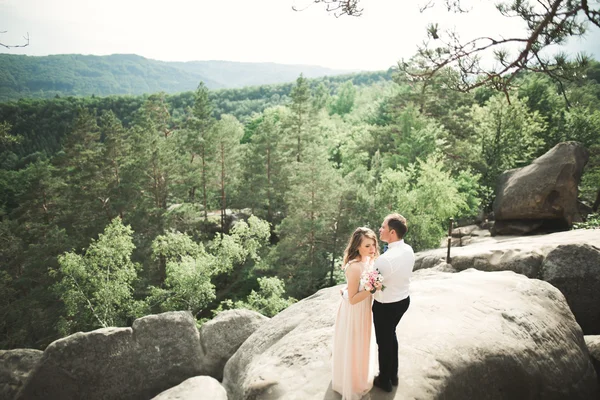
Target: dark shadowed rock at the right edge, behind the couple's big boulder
(575, 270)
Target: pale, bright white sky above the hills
(245, 30)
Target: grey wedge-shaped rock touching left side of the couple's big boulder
(223, 335)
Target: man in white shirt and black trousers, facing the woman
(395, 265)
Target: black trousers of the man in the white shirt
(386, 317)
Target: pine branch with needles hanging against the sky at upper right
(546, 29)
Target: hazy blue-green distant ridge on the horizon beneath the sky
(129, 74)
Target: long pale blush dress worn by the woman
(354, 357)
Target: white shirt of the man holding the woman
(395, 265)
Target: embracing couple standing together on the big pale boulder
(376, 295)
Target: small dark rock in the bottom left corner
(15, 367)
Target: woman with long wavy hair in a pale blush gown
(353, 368)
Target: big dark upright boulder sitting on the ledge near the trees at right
(543, 193)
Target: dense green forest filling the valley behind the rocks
(121, 206)
